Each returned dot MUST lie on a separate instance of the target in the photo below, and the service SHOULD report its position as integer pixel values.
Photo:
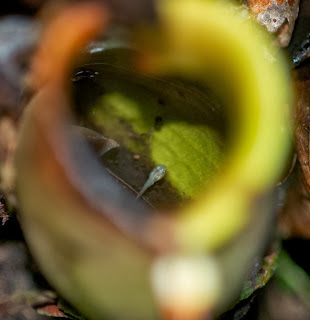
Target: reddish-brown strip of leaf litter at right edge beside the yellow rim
(294, 218)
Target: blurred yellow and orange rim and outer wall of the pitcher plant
(79, 207)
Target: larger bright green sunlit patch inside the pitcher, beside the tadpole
(192, 153)
